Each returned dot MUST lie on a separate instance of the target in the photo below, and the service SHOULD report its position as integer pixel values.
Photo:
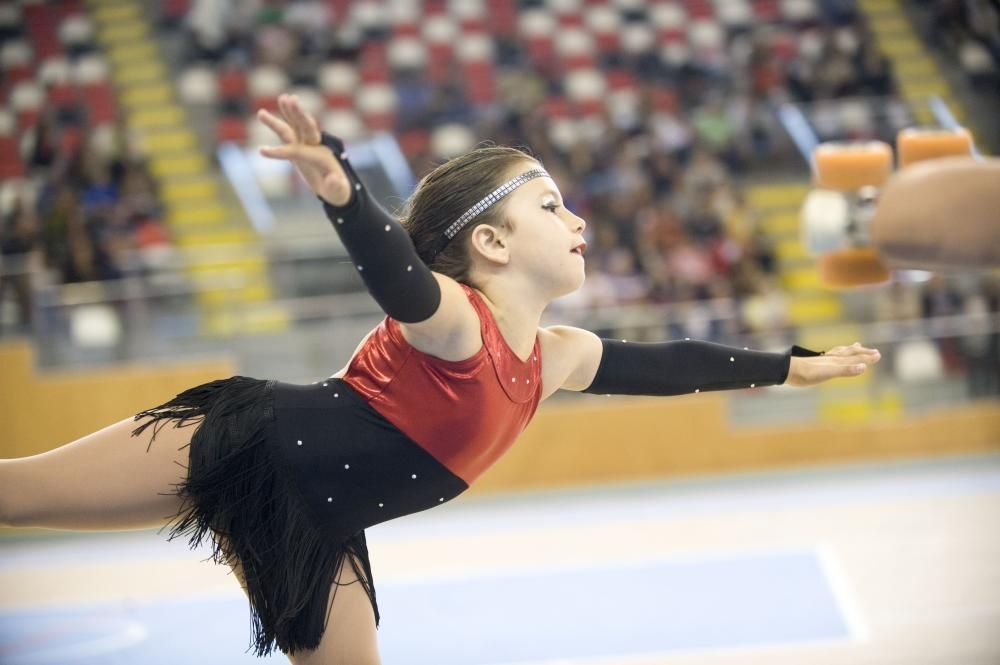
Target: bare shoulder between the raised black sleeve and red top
(452, 332)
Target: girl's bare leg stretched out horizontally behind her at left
(104, 481)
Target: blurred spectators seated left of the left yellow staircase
(92, 213)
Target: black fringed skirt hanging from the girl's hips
(237, 500)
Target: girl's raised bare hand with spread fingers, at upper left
(302, 147)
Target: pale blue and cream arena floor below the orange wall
(894, 563)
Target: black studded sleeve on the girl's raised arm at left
(381, 250)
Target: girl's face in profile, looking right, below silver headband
(543, 235)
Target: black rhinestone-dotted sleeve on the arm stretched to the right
(689, 366)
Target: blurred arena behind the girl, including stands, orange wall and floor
(145, 247)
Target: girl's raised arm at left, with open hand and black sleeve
(379, 246)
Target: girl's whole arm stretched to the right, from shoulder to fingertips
(616, 367)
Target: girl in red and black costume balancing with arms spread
(283, 479)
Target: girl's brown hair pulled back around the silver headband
(446, 193)
